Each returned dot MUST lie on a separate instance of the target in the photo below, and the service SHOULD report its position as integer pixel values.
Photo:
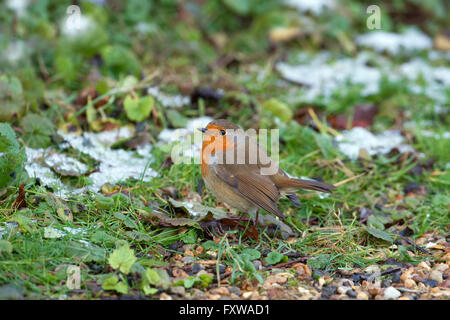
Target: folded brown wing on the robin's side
(247, 180)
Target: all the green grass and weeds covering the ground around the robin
(331, 229)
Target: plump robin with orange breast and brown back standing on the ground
(244, 181)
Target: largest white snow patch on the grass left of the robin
(115, 164)
